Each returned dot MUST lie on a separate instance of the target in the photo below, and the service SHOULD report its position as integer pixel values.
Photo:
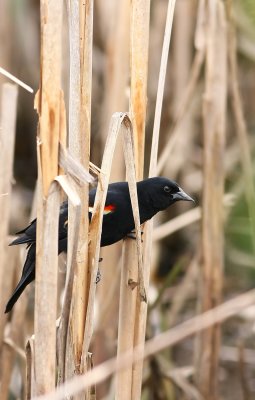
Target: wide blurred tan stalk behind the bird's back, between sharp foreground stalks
(116, 79)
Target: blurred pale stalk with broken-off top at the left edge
(7, 140)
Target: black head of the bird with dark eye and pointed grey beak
(163, 192)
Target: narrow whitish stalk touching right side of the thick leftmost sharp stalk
(76, 318)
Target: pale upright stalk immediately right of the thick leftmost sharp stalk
(79, 300)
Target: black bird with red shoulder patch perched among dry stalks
(154, 194)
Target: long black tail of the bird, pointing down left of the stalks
(28, 275)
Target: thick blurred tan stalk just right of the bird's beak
(214, 111)
